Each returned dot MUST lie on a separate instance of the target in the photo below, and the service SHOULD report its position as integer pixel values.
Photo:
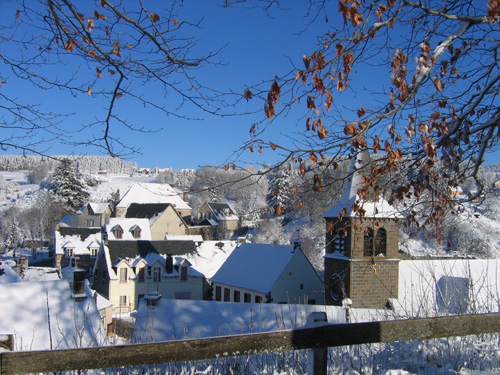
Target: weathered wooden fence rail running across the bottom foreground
(190, 350)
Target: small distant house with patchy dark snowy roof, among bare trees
(219, 217)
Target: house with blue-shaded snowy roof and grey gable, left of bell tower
(267, 273)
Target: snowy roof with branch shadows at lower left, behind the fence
(43, 316)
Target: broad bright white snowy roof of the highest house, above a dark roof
(152, 193)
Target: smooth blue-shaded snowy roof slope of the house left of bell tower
(255, 266)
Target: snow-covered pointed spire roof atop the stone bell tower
(376, 208)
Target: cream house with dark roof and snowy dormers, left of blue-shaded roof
(127, 270)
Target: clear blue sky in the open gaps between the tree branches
(256, 47)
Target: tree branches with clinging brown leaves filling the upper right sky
(415, 83)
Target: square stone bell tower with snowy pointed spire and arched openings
(361, 261)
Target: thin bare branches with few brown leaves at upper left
(106, 50)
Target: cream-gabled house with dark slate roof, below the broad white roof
(163, 219)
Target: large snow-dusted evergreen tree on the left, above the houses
(69, 186)
